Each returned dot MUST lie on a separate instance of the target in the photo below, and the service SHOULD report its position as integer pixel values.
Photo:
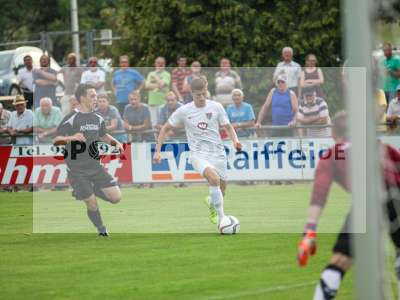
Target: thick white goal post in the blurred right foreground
(365, 175)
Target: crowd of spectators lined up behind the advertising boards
(296, 103)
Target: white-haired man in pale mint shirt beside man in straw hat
(46, 119)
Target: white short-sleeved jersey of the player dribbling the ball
(202, 127)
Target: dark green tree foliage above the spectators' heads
(250, 33)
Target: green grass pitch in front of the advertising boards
(163, 265)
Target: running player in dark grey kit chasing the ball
(80, 131)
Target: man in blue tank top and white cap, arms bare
(284, 106)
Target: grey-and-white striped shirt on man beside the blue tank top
(318, 108)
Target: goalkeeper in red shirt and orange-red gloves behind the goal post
(333, 168)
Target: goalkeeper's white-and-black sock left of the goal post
(329, 283)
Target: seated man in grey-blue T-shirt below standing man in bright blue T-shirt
(137, 119)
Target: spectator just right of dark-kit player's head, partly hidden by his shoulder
(111, 117)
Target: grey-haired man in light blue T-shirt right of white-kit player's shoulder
(241, 114)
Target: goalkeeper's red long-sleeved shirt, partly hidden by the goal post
(332, 167)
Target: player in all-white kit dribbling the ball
(202, 120)
